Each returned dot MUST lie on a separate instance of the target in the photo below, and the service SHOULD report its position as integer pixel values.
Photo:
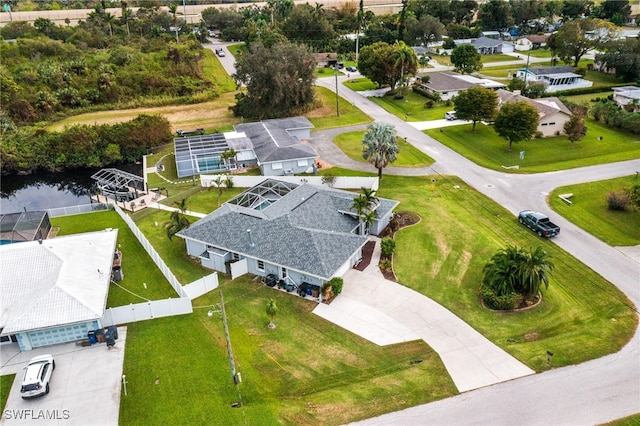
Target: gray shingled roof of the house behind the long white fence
(272, 141)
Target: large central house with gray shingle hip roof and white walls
(304, 233)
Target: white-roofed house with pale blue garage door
(55, 290)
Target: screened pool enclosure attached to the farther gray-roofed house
(200, 154)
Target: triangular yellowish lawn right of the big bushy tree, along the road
(325, 117)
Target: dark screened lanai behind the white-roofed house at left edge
(24, 226)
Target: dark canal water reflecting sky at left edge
(42, 190)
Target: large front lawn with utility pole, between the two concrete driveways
(306, 371)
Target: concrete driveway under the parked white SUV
(85, 386)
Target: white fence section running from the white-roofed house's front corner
(146, 310)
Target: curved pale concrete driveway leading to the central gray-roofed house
(385, 313)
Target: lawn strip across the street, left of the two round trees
(414, 104)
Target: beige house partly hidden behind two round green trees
(552, 113)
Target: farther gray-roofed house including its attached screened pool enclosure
(274, 145)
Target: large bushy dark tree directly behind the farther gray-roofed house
(279, 81)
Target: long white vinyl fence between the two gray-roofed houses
(342, 182)
